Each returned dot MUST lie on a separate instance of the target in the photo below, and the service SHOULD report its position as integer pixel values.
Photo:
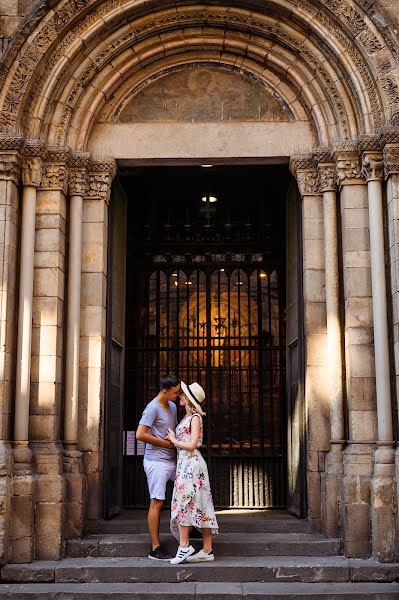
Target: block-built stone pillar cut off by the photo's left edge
(9, 204)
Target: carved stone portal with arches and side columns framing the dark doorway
(65, 79)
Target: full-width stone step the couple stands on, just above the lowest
(227, 569)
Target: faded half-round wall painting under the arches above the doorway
(204, 94)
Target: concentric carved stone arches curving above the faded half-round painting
(83, 61)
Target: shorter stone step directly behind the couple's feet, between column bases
(225, 544)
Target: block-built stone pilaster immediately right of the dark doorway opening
(314, 305)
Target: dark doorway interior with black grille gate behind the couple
(206, 300)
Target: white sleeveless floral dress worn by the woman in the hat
(192, 498)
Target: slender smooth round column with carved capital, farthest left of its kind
(22, 505)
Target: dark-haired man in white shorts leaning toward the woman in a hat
(159, 455)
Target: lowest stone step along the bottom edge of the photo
(202, 591)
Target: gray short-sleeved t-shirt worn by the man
(159, 420)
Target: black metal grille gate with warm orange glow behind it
(222, 326)
